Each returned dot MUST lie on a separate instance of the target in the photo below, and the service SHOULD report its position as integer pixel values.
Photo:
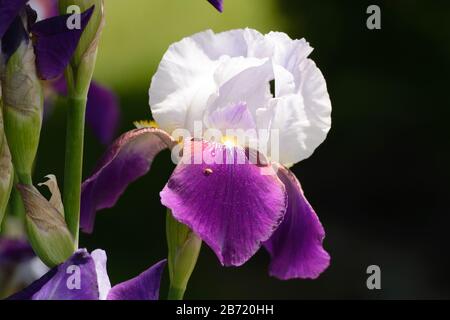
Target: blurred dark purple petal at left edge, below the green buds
(14, 251)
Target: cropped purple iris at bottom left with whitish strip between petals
(84, 277)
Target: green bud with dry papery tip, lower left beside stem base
(47, 231)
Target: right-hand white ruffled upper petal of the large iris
(302, 107)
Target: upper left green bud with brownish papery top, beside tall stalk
(22, 108)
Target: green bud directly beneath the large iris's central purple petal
(184, 248)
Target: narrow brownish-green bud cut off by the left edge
(6, 169)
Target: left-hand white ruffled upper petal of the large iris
(187, 77)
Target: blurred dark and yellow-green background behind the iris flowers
(380, 183)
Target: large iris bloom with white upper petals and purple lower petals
(223, 81)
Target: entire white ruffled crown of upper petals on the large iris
(209, 72)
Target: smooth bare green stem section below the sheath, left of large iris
(74, 164)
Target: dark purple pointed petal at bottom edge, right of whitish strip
(143, 287)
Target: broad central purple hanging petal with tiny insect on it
(231, 205)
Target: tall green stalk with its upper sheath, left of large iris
(78, 76)
